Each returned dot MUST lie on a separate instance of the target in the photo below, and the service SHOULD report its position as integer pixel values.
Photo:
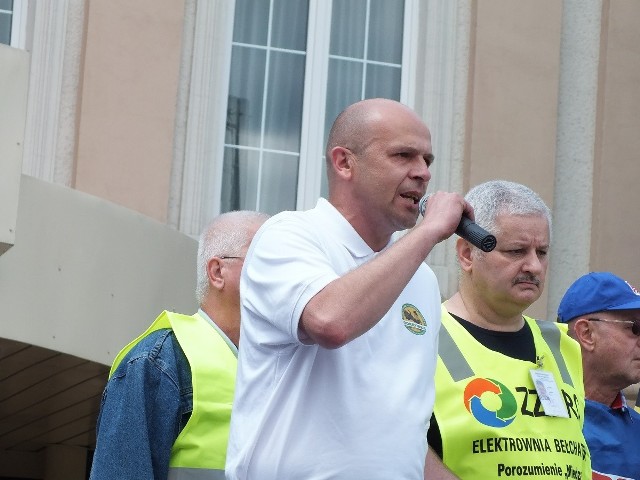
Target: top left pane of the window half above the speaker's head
(348, 20)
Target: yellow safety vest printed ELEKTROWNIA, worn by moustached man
(491, 421)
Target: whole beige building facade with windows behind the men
(126, 126)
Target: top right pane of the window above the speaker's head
(386, 16)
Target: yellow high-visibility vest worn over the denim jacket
(200, 450)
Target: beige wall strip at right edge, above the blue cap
(616, 198)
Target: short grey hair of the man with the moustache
(496, 197)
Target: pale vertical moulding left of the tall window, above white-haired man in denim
(206, 81)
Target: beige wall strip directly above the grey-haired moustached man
(514, 97)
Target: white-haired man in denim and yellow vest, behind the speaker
(166, 408)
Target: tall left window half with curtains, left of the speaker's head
(264, 111)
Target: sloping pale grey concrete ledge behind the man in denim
(86, 276)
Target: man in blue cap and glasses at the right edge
(603, 313)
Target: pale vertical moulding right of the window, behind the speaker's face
(442, 100)
